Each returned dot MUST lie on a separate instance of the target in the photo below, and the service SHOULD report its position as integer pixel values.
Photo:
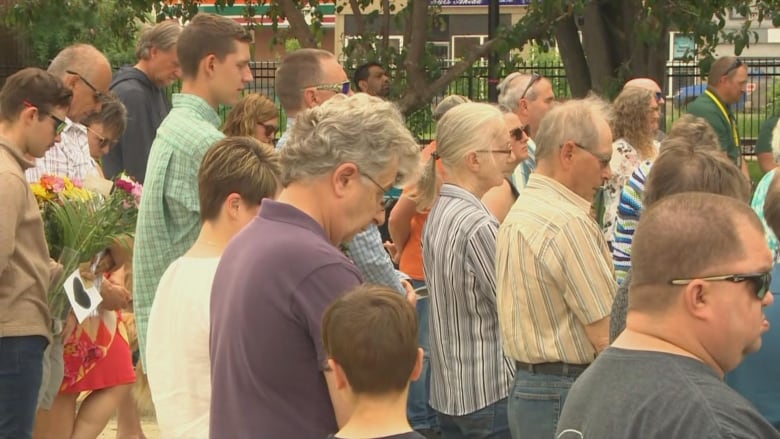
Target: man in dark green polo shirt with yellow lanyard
(726, 84)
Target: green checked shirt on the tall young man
(169, 215)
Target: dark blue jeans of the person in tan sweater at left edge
(21, 367)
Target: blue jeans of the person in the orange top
(421, 415)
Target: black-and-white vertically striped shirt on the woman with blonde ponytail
(469, 370)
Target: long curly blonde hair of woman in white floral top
(631, 119)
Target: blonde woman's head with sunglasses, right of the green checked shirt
(255, 116)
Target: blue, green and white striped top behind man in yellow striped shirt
(628, 210)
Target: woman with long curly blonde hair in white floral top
(634, 128)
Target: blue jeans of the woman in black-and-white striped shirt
(487, 423)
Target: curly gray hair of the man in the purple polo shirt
(359, 129)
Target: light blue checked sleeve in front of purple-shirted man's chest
(369, 255)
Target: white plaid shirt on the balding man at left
(67, 158)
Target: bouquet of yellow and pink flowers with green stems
(80, 223)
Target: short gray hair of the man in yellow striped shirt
(574, 120)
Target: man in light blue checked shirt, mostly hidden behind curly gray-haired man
(306, 79)
